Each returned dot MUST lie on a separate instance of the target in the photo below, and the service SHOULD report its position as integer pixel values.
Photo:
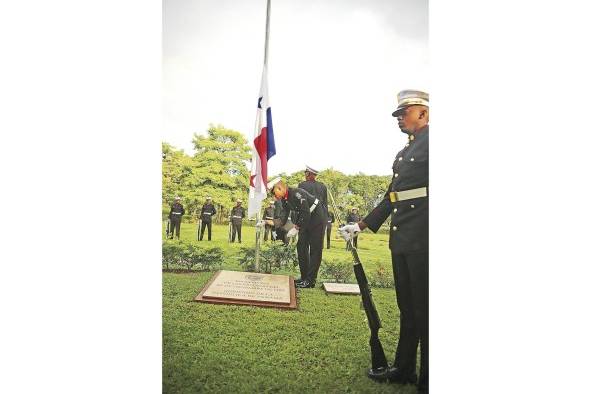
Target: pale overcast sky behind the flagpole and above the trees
(335, 67)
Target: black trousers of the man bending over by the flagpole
(309, 247)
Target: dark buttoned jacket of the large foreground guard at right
(409, 228)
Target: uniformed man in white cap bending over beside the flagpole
(309, 226)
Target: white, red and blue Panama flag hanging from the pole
(263, 150)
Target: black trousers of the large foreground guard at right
(411, 280)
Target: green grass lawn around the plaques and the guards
(322, 347)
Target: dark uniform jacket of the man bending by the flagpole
(299, 201)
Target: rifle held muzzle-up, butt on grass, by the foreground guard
(378, 358)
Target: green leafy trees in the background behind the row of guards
(219, 168)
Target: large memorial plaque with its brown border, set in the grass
(249, 288)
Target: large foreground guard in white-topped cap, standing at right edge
(407, 204)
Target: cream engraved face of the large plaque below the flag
(250, 286)
